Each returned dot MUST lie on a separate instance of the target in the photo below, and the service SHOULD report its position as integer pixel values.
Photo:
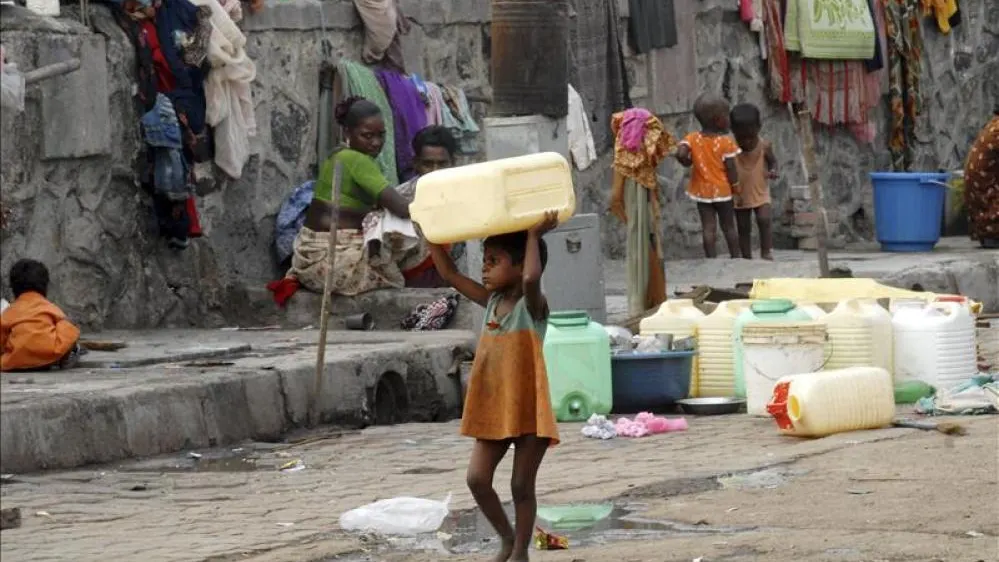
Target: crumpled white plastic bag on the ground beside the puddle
(397, 516)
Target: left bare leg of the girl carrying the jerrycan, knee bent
(486, 455)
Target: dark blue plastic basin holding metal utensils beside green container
(650, 381)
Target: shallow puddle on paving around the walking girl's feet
(468, 532)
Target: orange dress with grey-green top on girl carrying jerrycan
(508, 392)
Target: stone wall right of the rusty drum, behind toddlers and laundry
(960, 89)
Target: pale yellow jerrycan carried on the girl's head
(490, 198)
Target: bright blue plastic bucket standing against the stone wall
(908, 209)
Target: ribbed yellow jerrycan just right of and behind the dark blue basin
(716, 354)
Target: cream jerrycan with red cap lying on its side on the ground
(820, 404)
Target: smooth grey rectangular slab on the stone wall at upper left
(76, 119)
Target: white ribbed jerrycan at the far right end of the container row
(934, 343)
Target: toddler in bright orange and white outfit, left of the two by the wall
(714, 179)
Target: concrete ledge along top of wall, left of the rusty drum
(309, 15)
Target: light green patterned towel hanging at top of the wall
(833, 29)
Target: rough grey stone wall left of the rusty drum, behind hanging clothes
(83, 213)
